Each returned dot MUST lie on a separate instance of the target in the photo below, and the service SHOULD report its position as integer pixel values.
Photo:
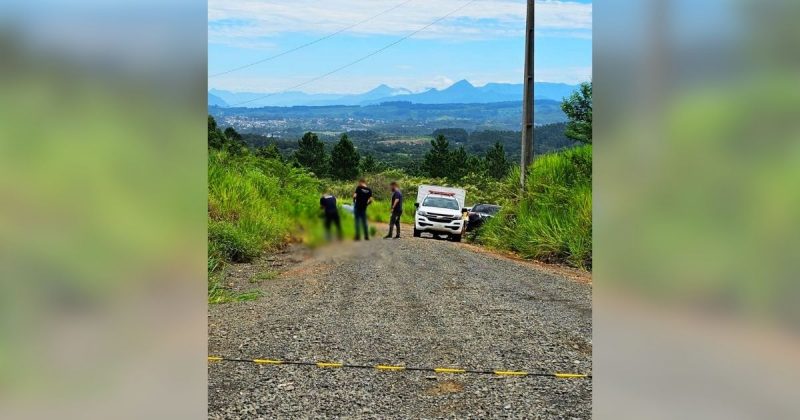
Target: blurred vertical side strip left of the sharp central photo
(102, 209)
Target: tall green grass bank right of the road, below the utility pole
(551, 220)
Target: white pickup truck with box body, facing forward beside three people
(440, 211)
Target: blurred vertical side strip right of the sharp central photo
(697, 174)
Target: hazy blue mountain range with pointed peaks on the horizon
(459, 92)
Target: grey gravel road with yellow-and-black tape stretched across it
(415, 302)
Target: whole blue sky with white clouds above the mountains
(483, 42)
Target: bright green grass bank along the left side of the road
(254, 205)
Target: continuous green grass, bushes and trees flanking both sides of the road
(258, 200)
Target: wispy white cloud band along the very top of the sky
(484, 19)
